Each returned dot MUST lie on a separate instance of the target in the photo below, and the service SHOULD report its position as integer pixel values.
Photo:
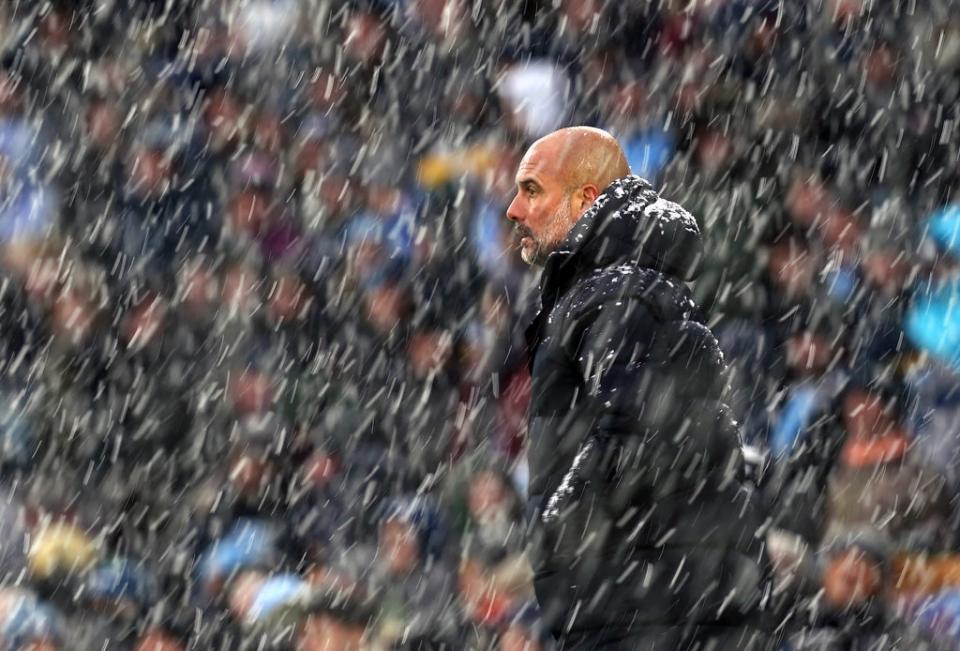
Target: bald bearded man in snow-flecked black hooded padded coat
(643, 526)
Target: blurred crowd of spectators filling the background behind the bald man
(263, 382)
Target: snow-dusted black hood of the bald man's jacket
(630, 222)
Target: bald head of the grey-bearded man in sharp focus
(558, 179)
